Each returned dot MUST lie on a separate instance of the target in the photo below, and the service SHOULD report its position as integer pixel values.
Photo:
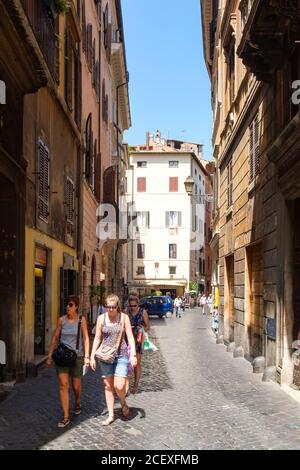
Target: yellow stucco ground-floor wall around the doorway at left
(55, 250)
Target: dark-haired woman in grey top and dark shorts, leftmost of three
(66, 331)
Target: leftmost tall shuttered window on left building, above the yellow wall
(44, 181)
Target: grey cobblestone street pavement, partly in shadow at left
(193, 395)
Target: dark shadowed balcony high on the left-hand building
(43, 26)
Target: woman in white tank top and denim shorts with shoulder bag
(109, 333)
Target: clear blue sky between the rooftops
(168, 81)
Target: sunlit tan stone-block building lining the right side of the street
(252, 57)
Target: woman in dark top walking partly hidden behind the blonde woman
(139, 320)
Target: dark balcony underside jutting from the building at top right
(266, 32)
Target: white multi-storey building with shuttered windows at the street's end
(167, 249)
